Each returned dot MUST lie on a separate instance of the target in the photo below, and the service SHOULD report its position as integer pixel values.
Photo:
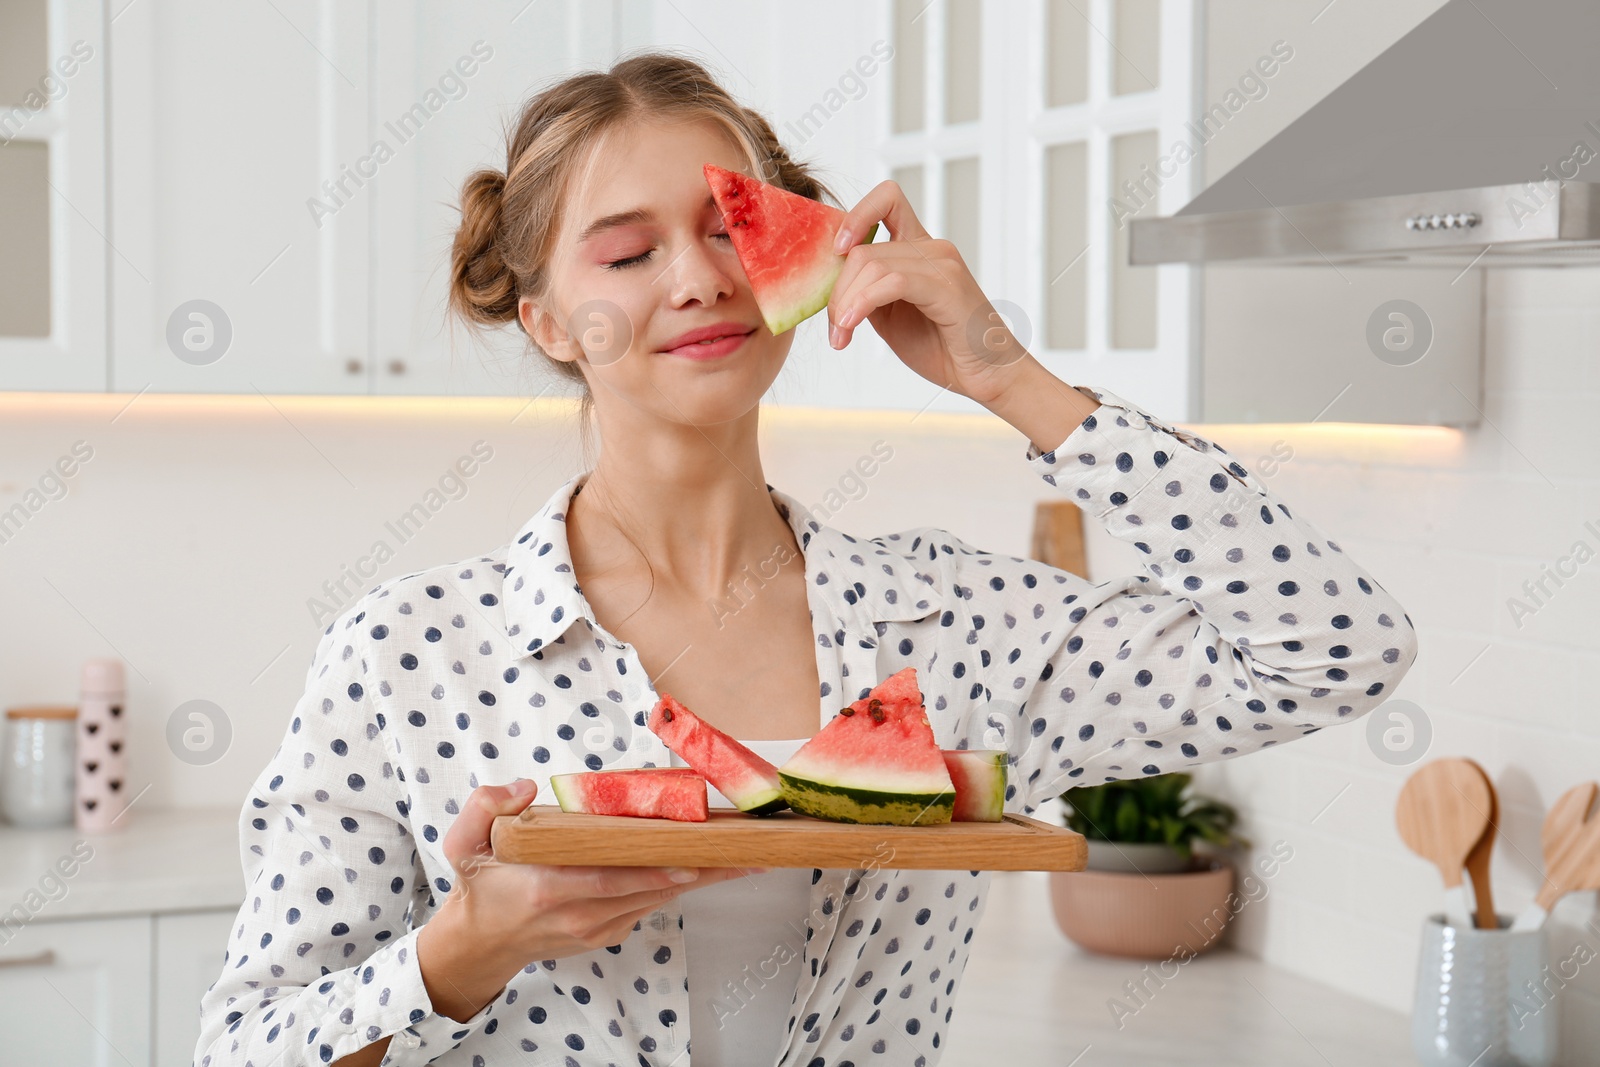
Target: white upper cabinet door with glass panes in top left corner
(54, 241)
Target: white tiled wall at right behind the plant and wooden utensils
(1452, 532)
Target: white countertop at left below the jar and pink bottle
(166, 860)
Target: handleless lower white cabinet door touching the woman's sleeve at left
(190, 951)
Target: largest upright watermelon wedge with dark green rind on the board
(876, 762)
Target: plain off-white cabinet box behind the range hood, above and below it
(1294, 345)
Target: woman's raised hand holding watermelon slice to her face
(922, 300)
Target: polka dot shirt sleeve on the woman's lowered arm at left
(322, 961)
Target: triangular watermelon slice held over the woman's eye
(785, 242)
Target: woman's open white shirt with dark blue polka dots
(1250, 629)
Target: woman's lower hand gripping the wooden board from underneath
(521, 913)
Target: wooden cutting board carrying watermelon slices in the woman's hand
(545, 834)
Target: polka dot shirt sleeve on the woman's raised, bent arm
(1250, 628)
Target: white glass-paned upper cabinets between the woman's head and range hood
(964, 105)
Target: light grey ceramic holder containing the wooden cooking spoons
(1484, 997)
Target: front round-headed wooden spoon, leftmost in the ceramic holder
(1442, 813)
